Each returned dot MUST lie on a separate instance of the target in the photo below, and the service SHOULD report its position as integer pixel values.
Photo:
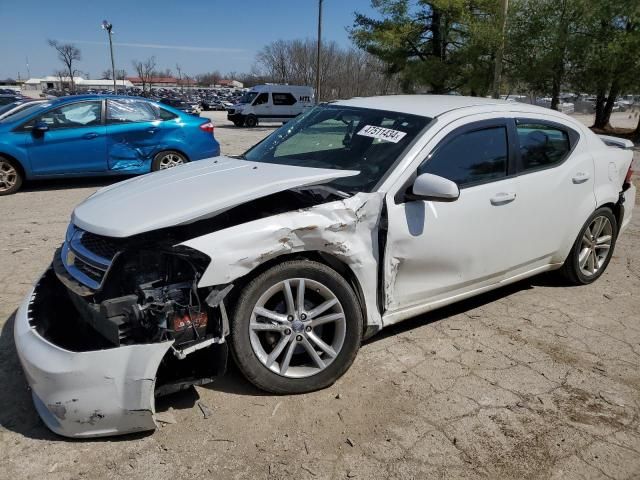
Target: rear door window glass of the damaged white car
(541, 145)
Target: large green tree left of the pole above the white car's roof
(443, 45)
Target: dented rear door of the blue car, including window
(134, 132)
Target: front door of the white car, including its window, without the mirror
(438, 250)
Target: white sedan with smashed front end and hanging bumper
(357, 215)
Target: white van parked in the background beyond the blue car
(271, 103)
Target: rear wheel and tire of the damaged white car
(593, 248)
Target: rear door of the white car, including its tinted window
(555, 185)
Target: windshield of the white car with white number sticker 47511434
(343, 138)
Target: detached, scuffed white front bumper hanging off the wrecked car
(92, 393)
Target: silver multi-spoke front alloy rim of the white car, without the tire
(297, 328)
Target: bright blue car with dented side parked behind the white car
(98, 135)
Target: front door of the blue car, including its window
(74, 143)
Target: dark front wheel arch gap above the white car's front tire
(324, 258)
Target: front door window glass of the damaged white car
(472, 157)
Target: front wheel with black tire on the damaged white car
(296, 328)
